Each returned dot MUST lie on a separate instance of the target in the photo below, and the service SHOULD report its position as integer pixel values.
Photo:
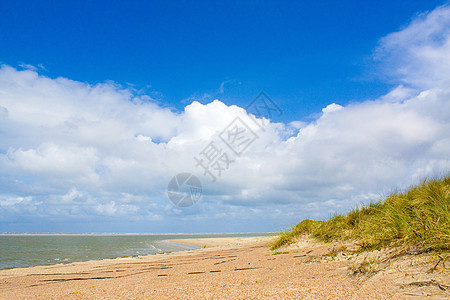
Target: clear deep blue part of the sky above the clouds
(303, 54)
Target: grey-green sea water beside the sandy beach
(26, 250)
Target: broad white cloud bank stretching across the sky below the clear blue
(100, 151)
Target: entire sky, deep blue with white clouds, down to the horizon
(103, 102)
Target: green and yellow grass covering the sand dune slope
(417, 218)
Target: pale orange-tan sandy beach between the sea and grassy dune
(231, 268)
